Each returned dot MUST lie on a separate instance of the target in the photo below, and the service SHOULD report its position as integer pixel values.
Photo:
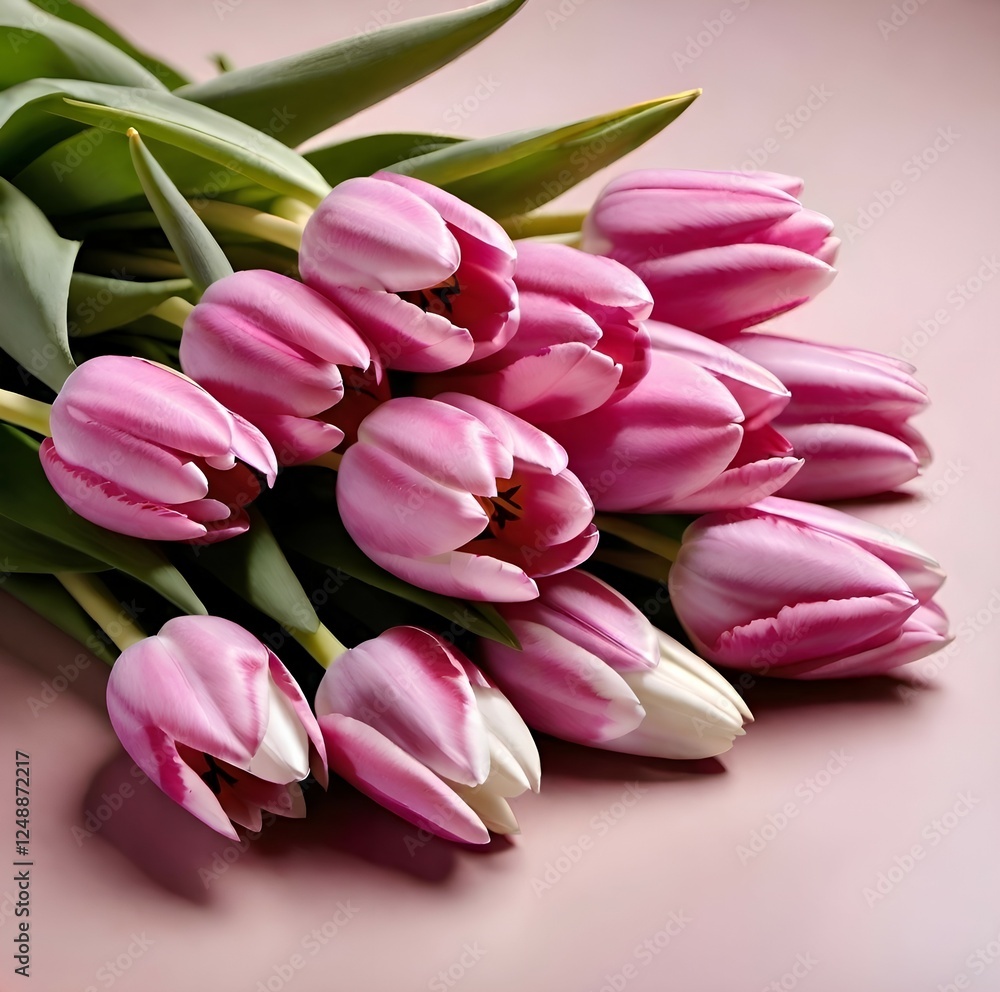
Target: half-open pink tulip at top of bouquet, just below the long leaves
(426, 278)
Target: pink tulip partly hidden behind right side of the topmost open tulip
(579, 342)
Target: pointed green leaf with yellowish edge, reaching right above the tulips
(516, 173)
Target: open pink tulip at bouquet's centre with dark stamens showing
(460, 497)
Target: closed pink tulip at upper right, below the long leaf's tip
(719, 251)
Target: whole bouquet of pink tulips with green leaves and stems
(376, 411)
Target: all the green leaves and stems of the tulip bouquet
(83, 258)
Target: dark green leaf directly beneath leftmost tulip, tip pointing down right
(27, 498)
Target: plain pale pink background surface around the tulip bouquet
(630, 873)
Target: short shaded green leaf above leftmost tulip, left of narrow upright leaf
(100, 303)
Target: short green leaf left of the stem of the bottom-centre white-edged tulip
(255, 568)
